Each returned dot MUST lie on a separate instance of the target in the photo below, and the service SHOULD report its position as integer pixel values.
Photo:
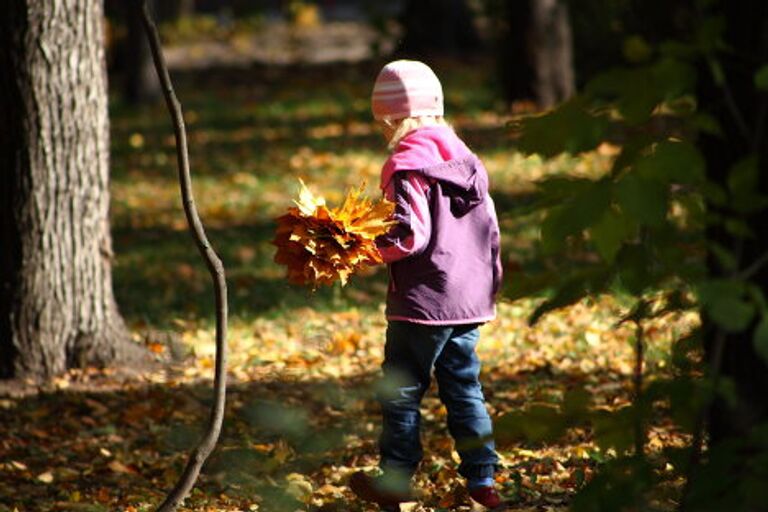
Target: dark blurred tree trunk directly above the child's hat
(438, 27)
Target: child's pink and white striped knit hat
(406, 88)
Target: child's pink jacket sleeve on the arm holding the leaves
(410, 193)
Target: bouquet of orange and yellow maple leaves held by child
(320, 245)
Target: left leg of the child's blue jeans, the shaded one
(409, 355)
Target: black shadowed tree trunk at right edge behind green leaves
(742, 113)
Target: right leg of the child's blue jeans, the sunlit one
(457, 370)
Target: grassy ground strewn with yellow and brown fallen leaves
(303, 366)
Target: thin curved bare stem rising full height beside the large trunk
(215, 267)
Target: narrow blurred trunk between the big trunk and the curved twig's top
(140, 82)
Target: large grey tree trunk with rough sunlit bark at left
(57, 308)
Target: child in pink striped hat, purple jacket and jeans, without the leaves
(444, 264)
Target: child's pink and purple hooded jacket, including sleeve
(443, 254)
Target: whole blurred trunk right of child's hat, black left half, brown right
(536, 50)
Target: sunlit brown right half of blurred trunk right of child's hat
(551, 48)
